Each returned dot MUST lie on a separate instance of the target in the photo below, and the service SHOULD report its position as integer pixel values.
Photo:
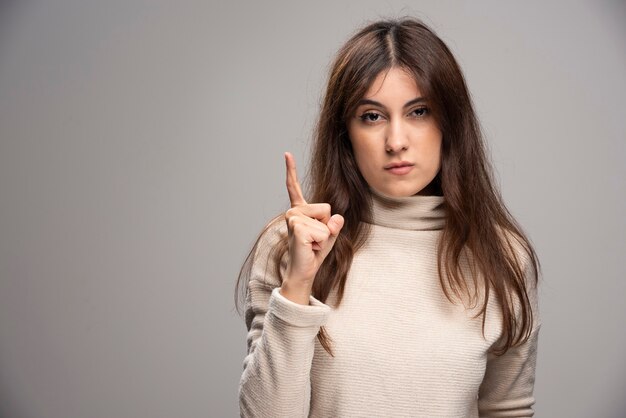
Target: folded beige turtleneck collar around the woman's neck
(417, 212)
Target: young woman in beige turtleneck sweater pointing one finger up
(407, 288)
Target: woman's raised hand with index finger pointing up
(312, 234)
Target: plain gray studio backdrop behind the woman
(141, 154)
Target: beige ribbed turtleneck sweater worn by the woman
(401, 348)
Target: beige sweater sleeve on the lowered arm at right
(508, 384)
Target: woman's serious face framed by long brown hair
(393, 124)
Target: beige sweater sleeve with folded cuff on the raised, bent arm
(281, 339)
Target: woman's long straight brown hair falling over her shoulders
(478, 225)
